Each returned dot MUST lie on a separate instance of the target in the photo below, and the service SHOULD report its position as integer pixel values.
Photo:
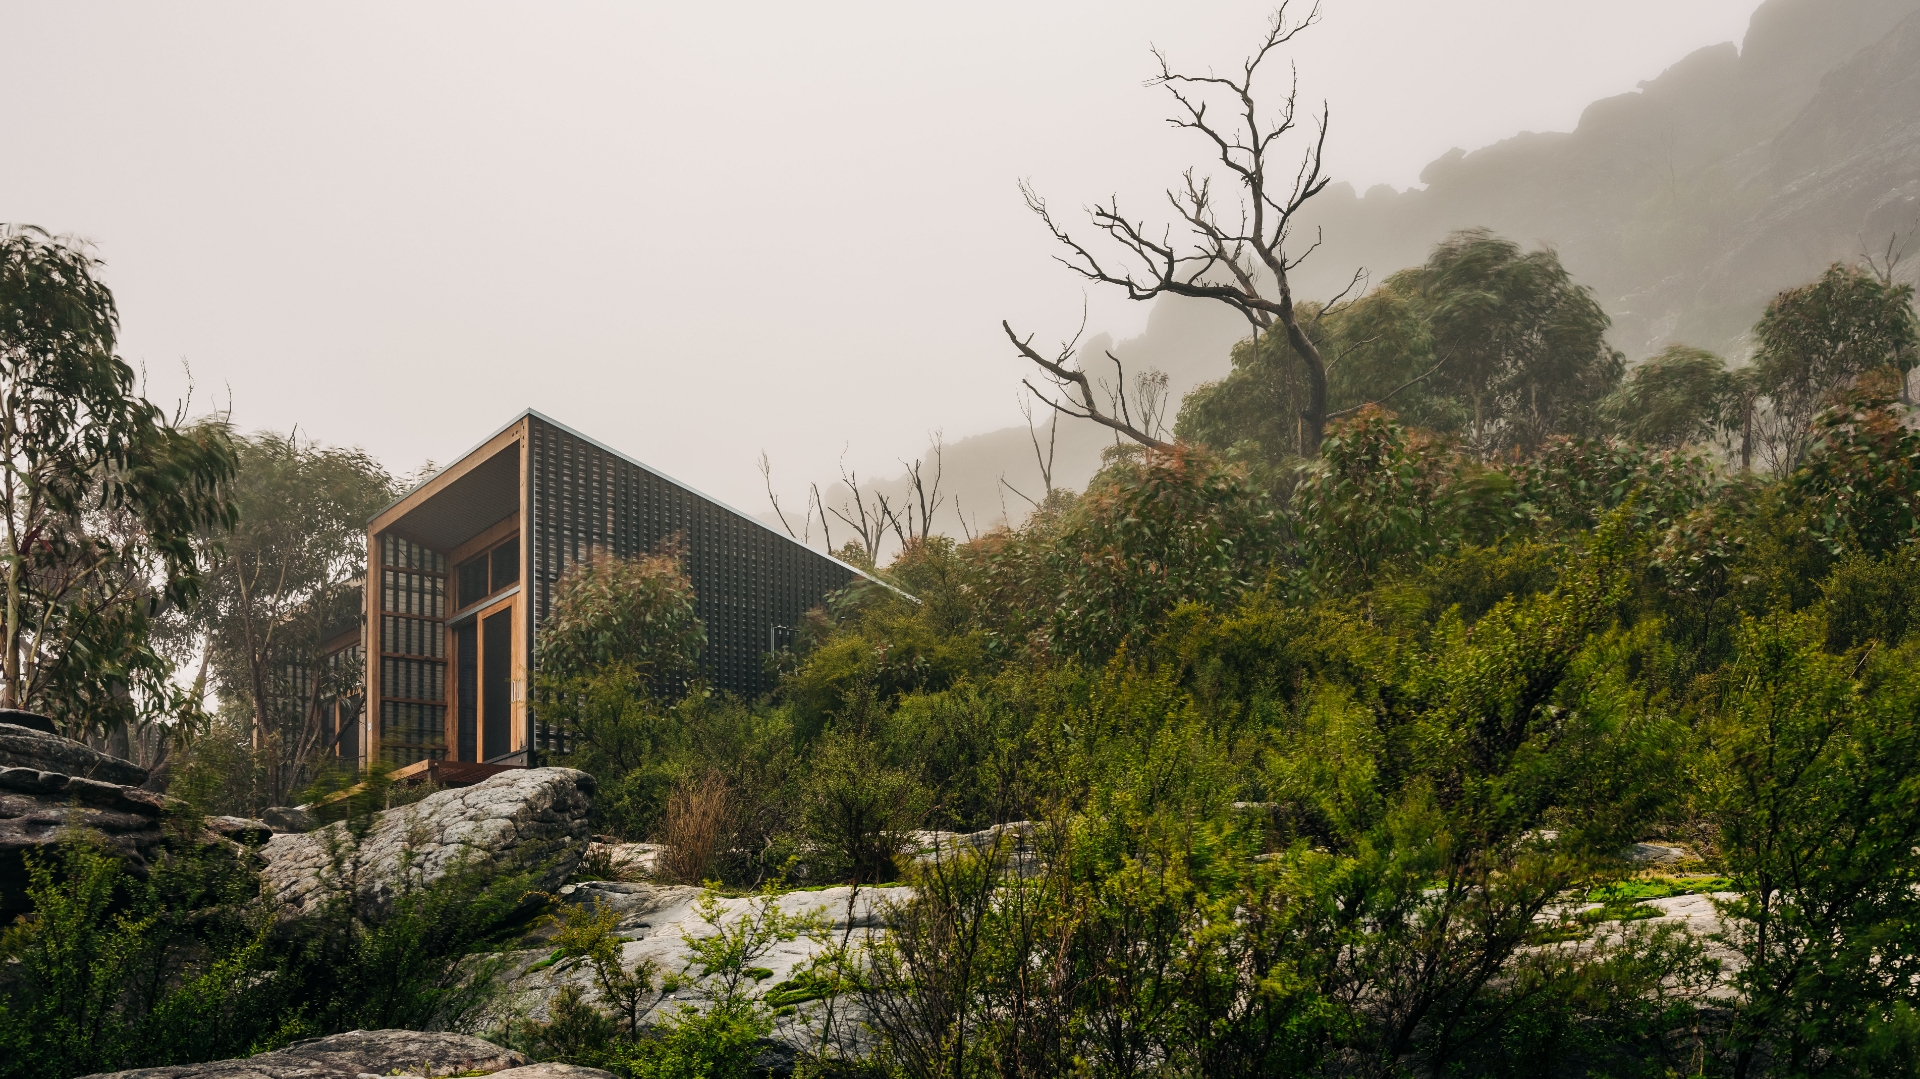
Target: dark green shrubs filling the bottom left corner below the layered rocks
(187, 963)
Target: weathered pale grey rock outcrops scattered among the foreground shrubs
(529, 817)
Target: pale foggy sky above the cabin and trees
(692, 231)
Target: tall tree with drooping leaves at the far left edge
(103, 496)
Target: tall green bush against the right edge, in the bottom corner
(1810, 784)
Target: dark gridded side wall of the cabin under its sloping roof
(752, 585)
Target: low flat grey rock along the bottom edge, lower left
(350, 1057)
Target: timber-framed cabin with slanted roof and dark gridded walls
(464, 565)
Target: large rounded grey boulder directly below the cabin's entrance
(527, 817)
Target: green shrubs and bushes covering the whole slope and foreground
(1260, 767)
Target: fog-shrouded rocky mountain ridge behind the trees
(1685, 206)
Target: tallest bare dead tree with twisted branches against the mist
(1243, 266)
